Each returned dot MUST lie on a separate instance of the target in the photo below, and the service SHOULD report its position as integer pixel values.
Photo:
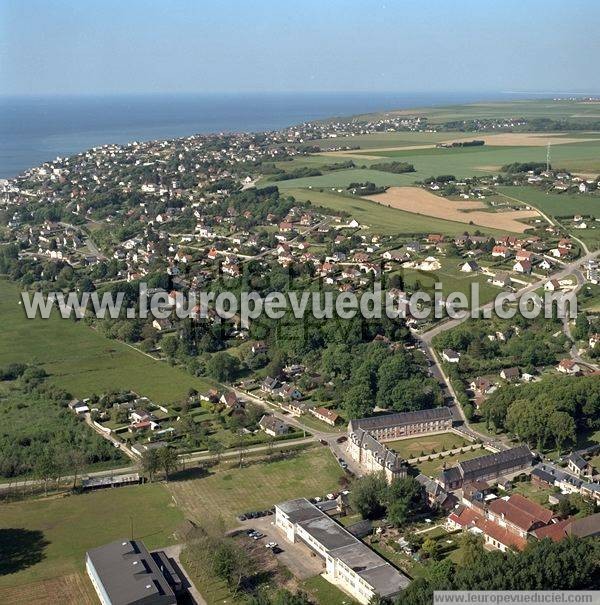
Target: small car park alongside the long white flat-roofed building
(298, 558)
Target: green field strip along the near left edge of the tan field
(380, 218)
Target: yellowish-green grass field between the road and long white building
(228, 492)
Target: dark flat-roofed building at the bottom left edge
(129, 574)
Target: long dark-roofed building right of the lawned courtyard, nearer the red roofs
(486, 468)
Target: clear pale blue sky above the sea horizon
(135, 46)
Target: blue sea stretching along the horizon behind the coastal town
(34, 130)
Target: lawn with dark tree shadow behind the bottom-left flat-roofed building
(48, 538)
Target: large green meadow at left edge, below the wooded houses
(81, 360)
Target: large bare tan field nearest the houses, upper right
(420, 201)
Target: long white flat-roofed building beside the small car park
(349, 564)
